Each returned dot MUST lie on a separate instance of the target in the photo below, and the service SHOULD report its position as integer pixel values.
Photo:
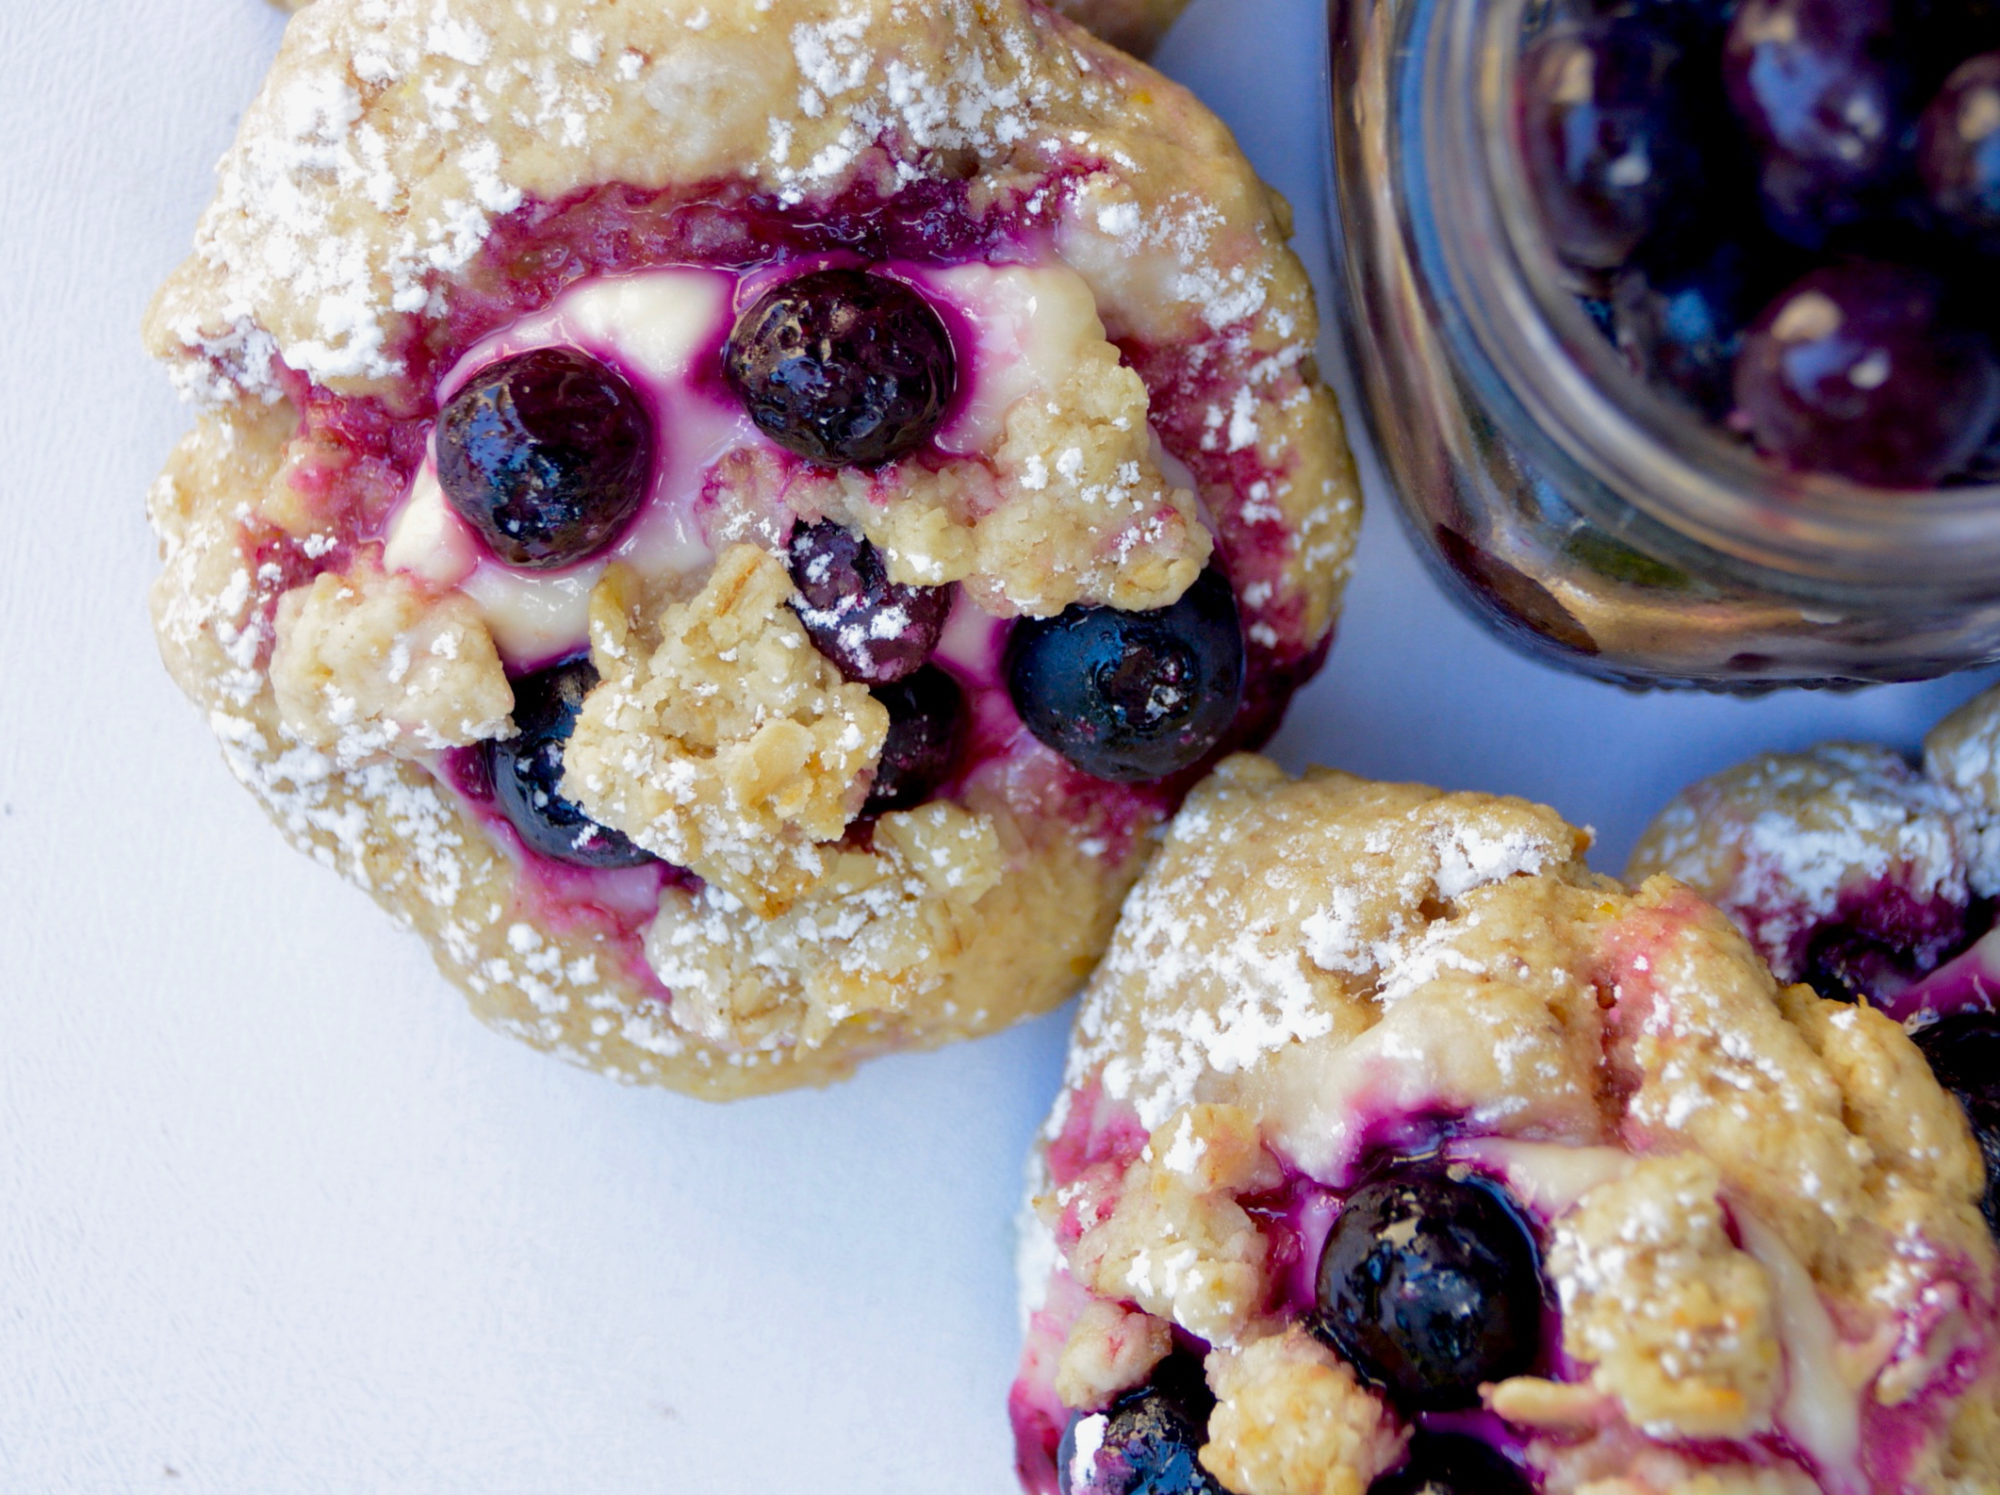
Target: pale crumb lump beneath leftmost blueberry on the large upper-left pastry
(371, 665)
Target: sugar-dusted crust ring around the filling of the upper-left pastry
(351, 221)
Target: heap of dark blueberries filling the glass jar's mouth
(1787, 215)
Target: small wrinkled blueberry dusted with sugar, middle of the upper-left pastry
(873, 629)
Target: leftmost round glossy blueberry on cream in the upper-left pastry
(547, 457)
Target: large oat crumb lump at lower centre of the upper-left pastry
(719, 739)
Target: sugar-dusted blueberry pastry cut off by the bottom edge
(1401, 1152)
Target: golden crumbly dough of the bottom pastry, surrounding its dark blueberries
(1761, 1208)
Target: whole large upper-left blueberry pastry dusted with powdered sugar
(671, 467)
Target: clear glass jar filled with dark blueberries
(1675, 329)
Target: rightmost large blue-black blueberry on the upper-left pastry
(1131, 695)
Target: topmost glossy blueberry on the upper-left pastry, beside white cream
(843, 367)
